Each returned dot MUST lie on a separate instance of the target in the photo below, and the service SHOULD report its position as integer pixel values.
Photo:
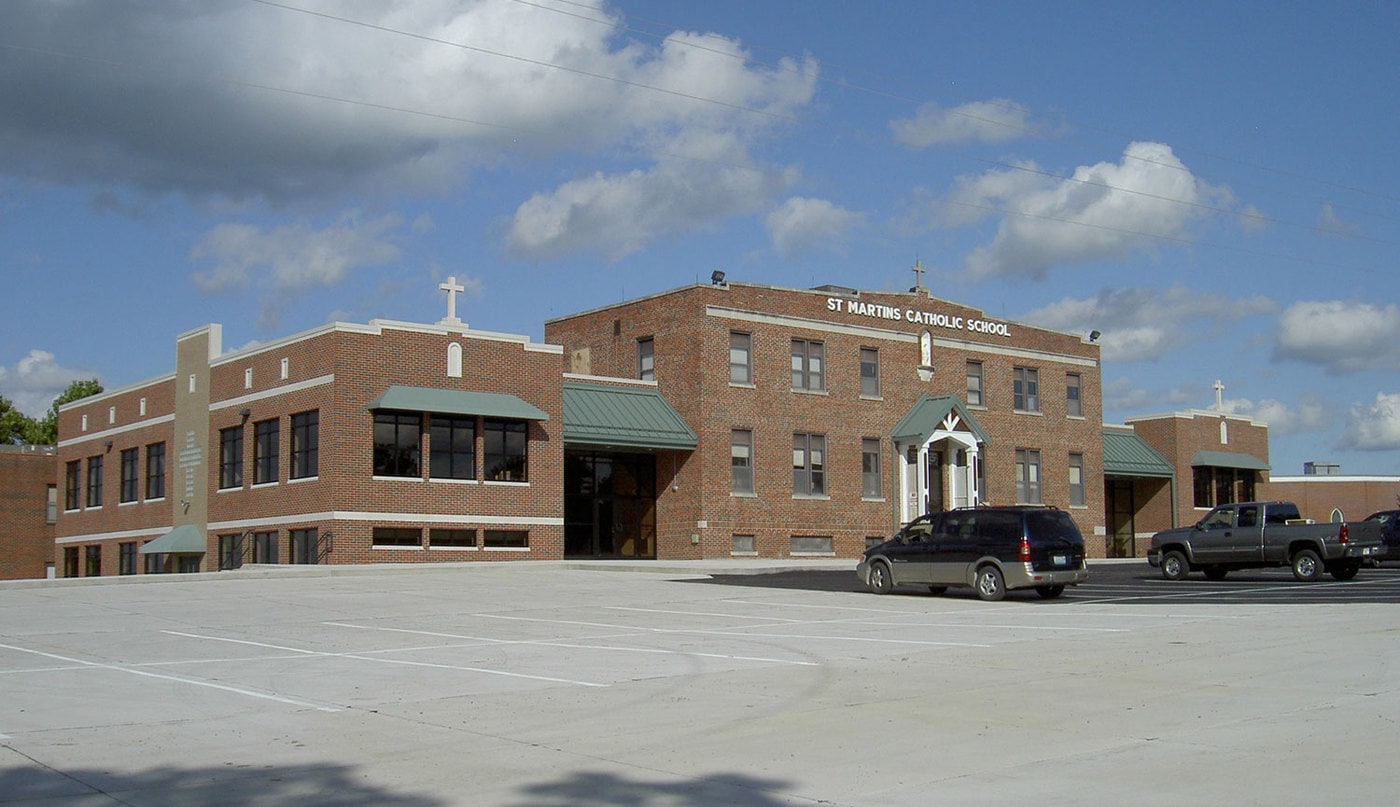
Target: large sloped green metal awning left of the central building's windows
(624, 418)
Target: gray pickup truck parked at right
(1258, 534)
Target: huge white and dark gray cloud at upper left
(251, 102)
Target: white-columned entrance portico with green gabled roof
(939, 457)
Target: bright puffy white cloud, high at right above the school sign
(1102, 212)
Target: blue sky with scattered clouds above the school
(1212, 186)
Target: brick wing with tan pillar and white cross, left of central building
(387, 442)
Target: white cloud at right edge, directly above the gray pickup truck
(1340, 337)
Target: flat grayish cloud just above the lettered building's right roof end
(1146, 324)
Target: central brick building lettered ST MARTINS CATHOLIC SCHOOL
(828, 417)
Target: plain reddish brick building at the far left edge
(29, 509)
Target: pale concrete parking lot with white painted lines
(554, 684)
